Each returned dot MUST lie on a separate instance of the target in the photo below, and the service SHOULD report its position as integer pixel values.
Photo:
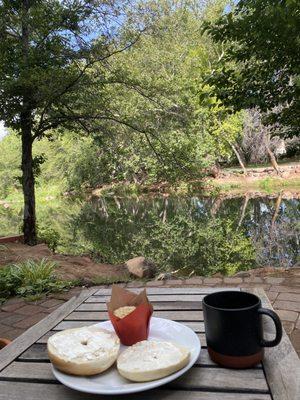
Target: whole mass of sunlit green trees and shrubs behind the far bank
(163, 124)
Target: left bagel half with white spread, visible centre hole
(83, 351)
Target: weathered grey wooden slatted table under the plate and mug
(25, 370)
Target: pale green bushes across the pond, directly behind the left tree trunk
(69, 161)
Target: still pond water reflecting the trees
(185, 234)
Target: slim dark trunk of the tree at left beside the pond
(29, 220)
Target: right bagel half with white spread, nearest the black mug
(150, 360)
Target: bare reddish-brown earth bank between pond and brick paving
(88, 272)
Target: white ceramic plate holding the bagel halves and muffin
(111, 382)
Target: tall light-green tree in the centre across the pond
(171, 126)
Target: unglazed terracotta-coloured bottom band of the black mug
(234, 361)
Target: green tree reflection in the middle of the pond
(178, 239)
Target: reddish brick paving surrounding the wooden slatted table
(17, 315)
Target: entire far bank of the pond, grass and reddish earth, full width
(263, 180)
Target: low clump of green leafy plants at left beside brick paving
(30, 278)
